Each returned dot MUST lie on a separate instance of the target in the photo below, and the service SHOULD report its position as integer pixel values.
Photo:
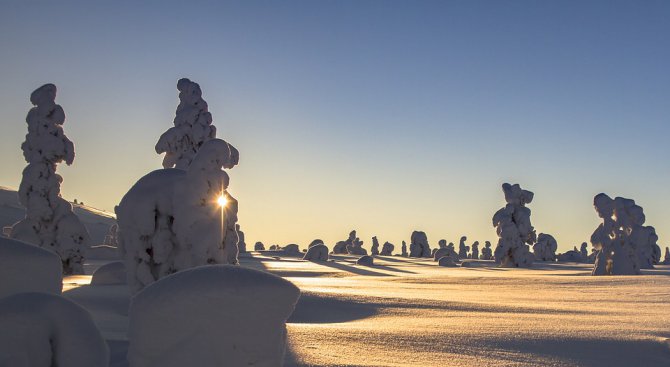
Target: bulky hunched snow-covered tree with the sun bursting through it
(170, 219)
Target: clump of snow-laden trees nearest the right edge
(623, 244)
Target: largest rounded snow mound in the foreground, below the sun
(216, 315)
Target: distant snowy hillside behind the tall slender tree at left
(96, 221)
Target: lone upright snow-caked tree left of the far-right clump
(513, 228)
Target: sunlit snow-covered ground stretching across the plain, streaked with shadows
(412, 312)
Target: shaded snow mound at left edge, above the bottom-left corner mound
(28, 268)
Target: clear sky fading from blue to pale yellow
(381, 116)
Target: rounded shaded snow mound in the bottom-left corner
(43, 330)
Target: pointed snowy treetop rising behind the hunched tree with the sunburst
(192, 127)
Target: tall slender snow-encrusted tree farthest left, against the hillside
(50, 222)
